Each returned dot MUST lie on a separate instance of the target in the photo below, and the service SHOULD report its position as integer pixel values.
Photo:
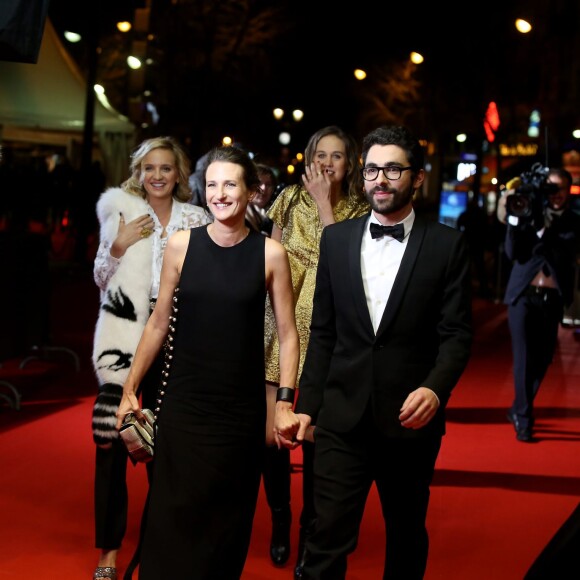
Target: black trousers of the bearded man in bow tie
(345, 466)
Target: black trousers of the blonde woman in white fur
(110, 489)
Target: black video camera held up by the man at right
(531, 196)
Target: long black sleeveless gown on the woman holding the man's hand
(210, 440)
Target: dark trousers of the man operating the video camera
(533, 321)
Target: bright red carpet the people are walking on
(495, 502)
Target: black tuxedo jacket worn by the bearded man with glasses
(424, 338)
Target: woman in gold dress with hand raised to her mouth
(331, 192)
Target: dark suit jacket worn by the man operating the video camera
(556, 250)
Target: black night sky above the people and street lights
(473, 55)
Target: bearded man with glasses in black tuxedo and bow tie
(390, 337)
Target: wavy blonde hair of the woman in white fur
(133, 185)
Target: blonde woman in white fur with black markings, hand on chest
(136, 220)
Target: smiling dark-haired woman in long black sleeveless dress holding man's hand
(209, 447)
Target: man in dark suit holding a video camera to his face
(542, 241)
